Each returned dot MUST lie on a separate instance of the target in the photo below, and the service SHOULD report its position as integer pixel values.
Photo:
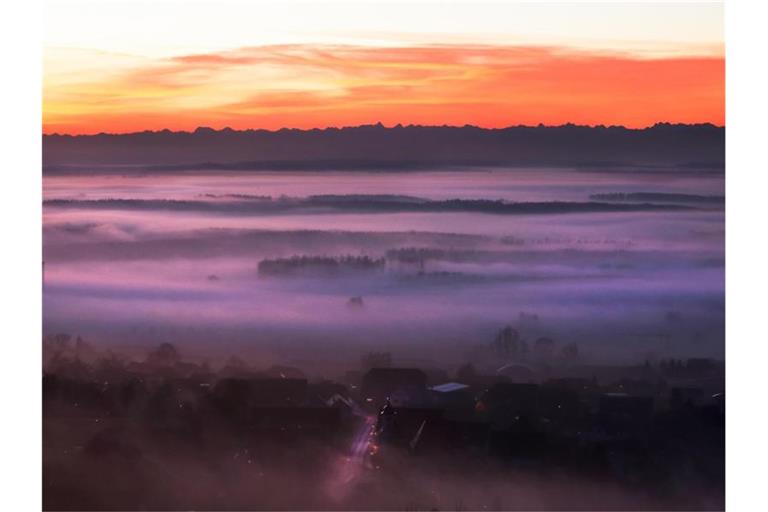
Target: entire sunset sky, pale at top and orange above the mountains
(113, 66)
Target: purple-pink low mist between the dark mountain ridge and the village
(124, 264)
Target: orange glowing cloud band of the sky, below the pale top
(306, 86)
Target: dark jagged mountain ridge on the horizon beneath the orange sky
(370, 146)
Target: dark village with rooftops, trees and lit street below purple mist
(637, 426)
